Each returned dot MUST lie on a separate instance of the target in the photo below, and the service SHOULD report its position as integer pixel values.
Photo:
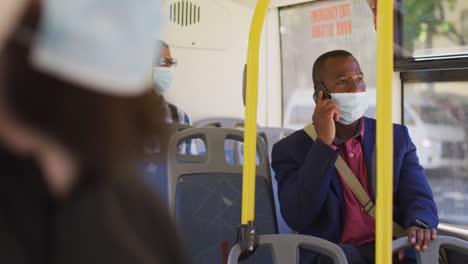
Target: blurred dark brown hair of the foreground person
(103, 131)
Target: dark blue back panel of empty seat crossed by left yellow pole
(208, 212)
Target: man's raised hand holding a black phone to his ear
(325, 114)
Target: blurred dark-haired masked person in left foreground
(73, 116)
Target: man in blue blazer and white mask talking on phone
(314, 198)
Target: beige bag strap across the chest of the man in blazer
(355, 186)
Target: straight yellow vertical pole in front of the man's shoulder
(384, 140)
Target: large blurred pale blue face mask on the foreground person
(106, 45)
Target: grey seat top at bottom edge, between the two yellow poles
(285, 248)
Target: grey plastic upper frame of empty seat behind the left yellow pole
(214, 161)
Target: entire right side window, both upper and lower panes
(433, 40)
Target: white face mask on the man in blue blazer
(352, 106)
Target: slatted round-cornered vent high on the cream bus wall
(184, 13)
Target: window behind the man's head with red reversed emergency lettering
(311, 29)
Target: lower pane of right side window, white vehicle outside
(439, 129)
